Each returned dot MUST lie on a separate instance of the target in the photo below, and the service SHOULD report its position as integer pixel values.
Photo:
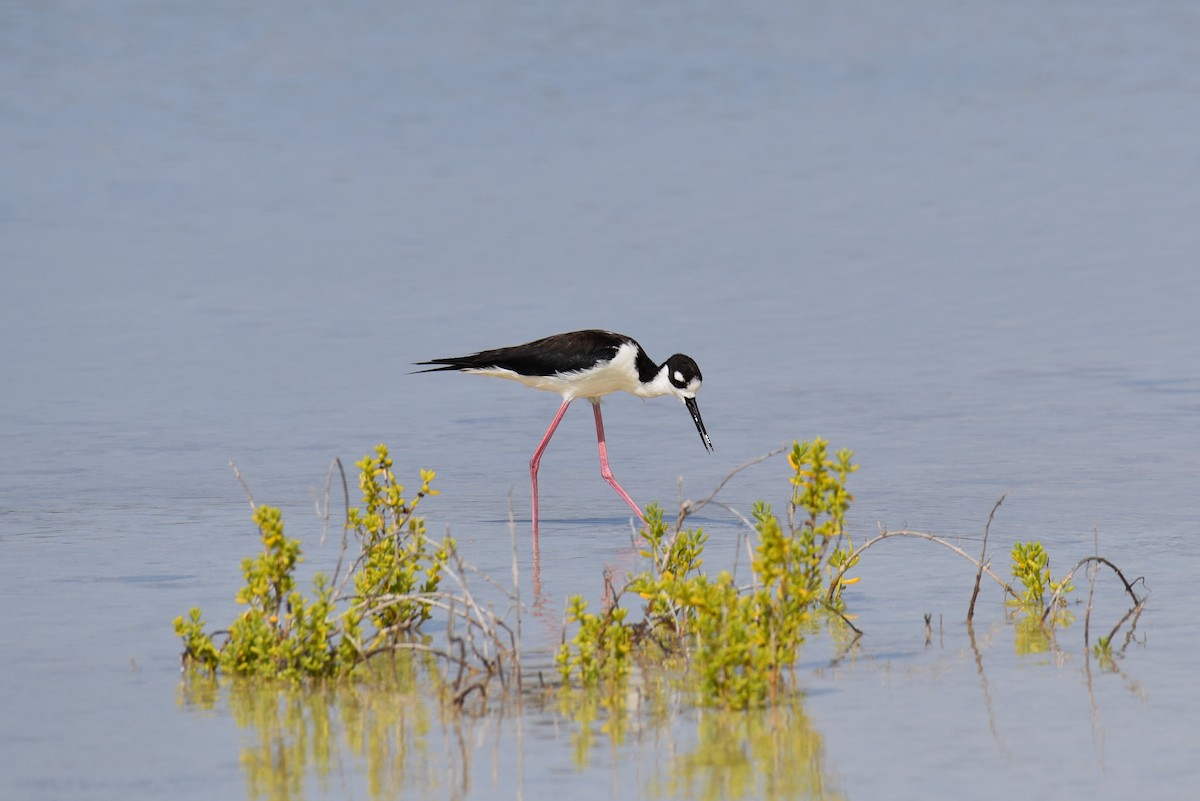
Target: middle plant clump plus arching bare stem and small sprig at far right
(736, 645)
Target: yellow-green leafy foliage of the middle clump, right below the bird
(741, 643)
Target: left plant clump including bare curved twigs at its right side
(397, 585)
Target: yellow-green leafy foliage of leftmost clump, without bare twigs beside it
(284, 634)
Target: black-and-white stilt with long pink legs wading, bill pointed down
(586, 365)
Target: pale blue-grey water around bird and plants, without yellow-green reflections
(959, 239)
